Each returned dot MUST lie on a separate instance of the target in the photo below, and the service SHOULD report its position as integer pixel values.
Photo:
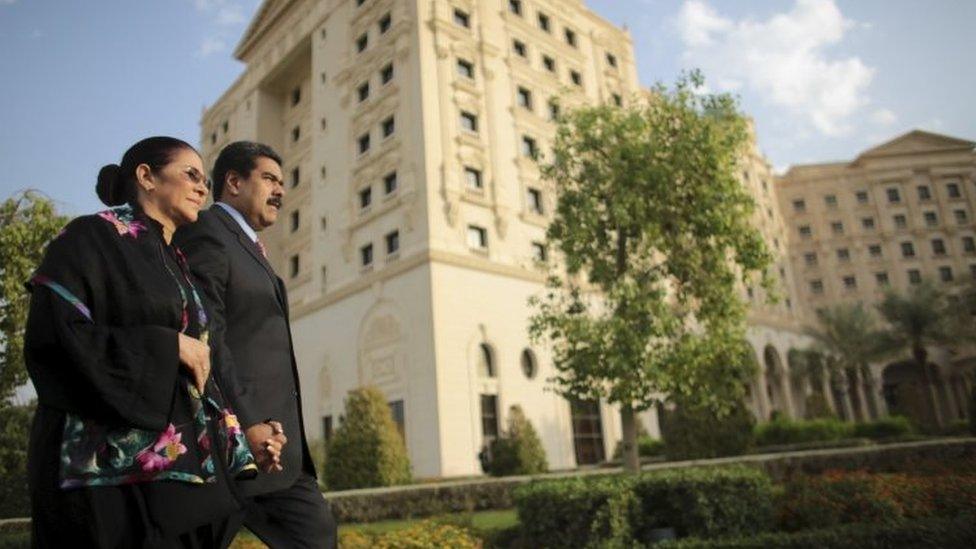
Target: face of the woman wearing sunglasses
(181, 187)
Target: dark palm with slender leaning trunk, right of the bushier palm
(918, 320)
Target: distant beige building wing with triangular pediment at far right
(899, 213)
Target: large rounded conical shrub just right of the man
(367, 449)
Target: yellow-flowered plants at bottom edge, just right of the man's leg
(424, 535)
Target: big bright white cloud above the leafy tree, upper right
(783, 59)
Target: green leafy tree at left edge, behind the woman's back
(28, 221)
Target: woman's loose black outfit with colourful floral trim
(124, 451)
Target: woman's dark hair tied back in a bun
(117, 183)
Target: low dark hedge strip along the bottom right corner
(935, 533)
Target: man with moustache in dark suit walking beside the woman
(251, 337)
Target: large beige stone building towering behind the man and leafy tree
(413, 225)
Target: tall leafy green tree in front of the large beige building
(650, 209)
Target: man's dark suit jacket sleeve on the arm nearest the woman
(207, 257)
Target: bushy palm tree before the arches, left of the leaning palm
(849, 340)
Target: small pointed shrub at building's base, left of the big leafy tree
(518, 451)
